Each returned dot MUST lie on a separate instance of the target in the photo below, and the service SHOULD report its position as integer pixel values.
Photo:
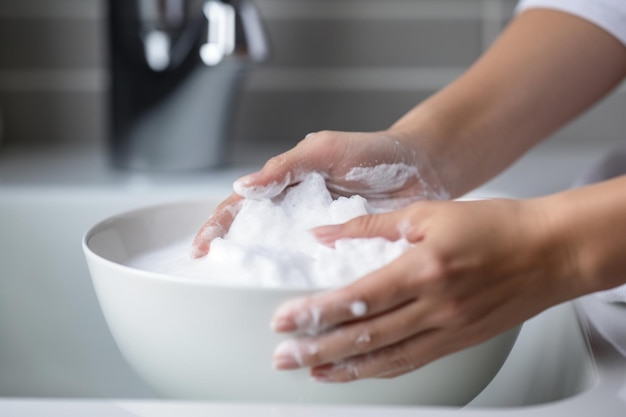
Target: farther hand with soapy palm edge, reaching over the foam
(382, 167)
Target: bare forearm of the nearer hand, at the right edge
(588, 224)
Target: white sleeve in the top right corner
(610, 15)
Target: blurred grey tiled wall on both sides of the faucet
(336, 64)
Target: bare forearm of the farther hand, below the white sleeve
(544, 70)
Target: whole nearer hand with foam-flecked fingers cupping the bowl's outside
(475, 270)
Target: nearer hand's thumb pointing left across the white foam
(392, 226)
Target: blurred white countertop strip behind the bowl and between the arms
(543, 170)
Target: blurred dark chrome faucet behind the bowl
(176, 69)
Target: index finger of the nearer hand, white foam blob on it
(382, 290)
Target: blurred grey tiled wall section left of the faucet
(52, 78)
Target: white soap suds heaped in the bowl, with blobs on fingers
(269, 244)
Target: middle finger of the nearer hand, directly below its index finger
(356, 338)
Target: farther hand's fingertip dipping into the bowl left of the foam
(217, 225)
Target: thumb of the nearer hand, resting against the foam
(389, 225)
